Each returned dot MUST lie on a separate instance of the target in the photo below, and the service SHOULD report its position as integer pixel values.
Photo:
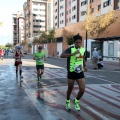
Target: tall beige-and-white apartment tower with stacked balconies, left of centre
(37, 17)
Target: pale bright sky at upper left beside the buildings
(7, 8)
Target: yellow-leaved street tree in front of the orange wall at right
(95, 26)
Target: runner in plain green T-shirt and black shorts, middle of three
(39, 56)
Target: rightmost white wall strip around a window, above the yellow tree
(107, 8)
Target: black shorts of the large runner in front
(75, 76)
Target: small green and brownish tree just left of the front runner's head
(69, 36)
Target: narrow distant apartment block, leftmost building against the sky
(18, 24)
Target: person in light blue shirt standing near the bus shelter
(95, 57)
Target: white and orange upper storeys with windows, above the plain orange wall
(67, 12)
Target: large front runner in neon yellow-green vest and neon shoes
(75, 70)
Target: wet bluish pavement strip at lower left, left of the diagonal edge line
(14, 103)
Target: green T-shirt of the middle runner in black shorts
(39, 58)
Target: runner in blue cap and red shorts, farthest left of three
(18, 60)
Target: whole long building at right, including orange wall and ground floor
(70, 14)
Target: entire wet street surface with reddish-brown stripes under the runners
(101, 100)
